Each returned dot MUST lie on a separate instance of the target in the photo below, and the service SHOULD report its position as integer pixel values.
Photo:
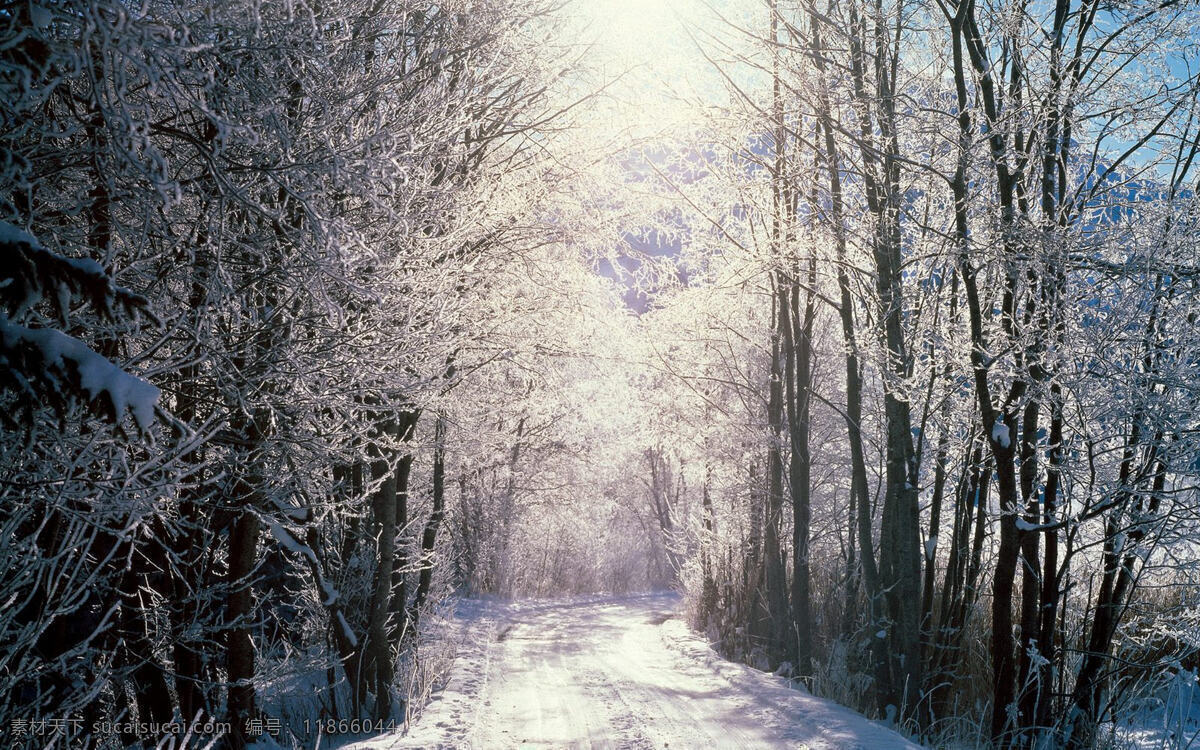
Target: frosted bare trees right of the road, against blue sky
(962, 232)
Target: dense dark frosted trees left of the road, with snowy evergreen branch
(245, 249)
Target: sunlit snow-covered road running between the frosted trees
(617, 674)
